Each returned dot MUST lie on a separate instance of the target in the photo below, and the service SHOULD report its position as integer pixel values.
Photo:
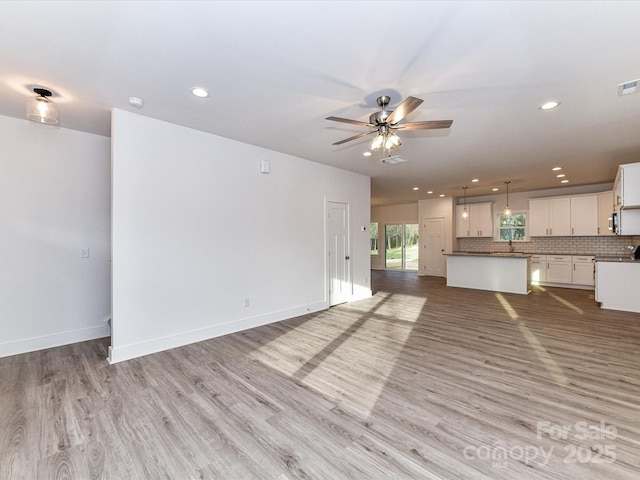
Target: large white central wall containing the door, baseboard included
(197, 229)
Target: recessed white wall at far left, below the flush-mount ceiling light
(54, 202)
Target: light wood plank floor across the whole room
(421, 381)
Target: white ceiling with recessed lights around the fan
(277, 69)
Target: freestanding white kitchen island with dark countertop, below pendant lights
(498, 272)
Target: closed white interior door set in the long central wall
(339, 261)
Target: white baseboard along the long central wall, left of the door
(128, 352)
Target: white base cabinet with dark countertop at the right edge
(617, 280)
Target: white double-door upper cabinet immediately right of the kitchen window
(550, 217)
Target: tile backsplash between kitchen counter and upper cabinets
(598, 246)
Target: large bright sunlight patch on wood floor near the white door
(330, 357)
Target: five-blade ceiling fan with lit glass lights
(385, 121)
